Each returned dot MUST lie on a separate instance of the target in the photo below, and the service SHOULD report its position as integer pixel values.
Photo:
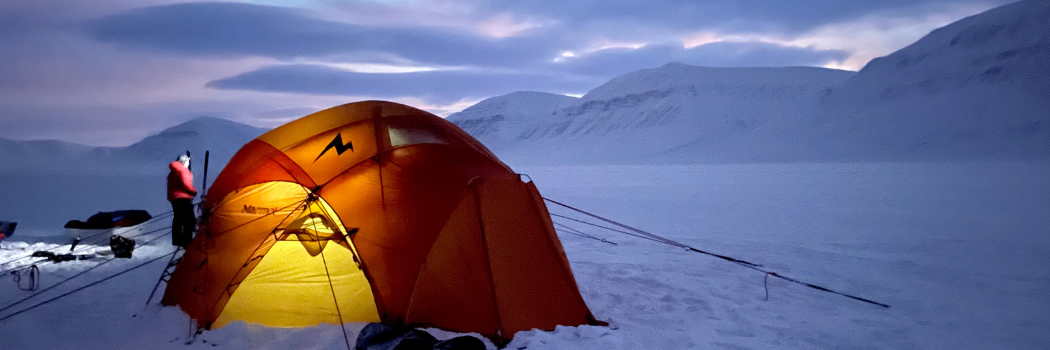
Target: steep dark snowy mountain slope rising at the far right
(977, 89)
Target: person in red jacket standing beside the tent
(181, 194)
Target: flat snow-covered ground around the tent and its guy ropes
(960, 251)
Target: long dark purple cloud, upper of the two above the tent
(235, 30)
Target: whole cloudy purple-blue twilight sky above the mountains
(113, 72)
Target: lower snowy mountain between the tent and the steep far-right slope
(641, 115)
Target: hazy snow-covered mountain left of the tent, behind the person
(46, 183)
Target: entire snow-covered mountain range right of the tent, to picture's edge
(978, 89)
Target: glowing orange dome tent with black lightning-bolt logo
(375, 212)
